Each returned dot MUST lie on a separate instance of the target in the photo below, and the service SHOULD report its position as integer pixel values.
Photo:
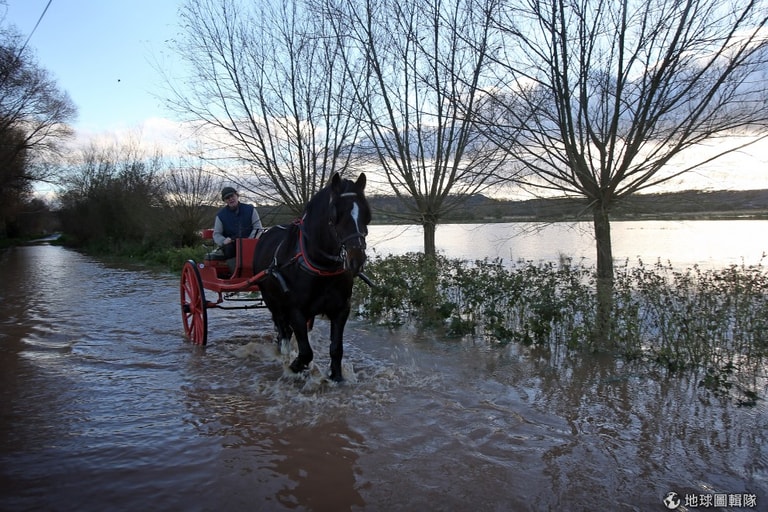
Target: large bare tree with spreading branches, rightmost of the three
(612, 93)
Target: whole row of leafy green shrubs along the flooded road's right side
(716, 321)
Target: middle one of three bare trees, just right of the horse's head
(426, 63)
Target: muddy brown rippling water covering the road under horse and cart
(106, 407)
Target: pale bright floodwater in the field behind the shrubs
(713, 244)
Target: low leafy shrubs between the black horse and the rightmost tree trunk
(528, 303)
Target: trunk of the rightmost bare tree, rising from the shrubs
(603, 329)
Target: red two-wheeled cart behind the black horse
(235, 288)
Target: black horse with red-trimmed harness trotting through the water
(311, 264)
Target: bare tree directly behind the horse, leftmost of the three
(267, 88)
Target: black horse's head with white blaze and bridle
(349, 217)
